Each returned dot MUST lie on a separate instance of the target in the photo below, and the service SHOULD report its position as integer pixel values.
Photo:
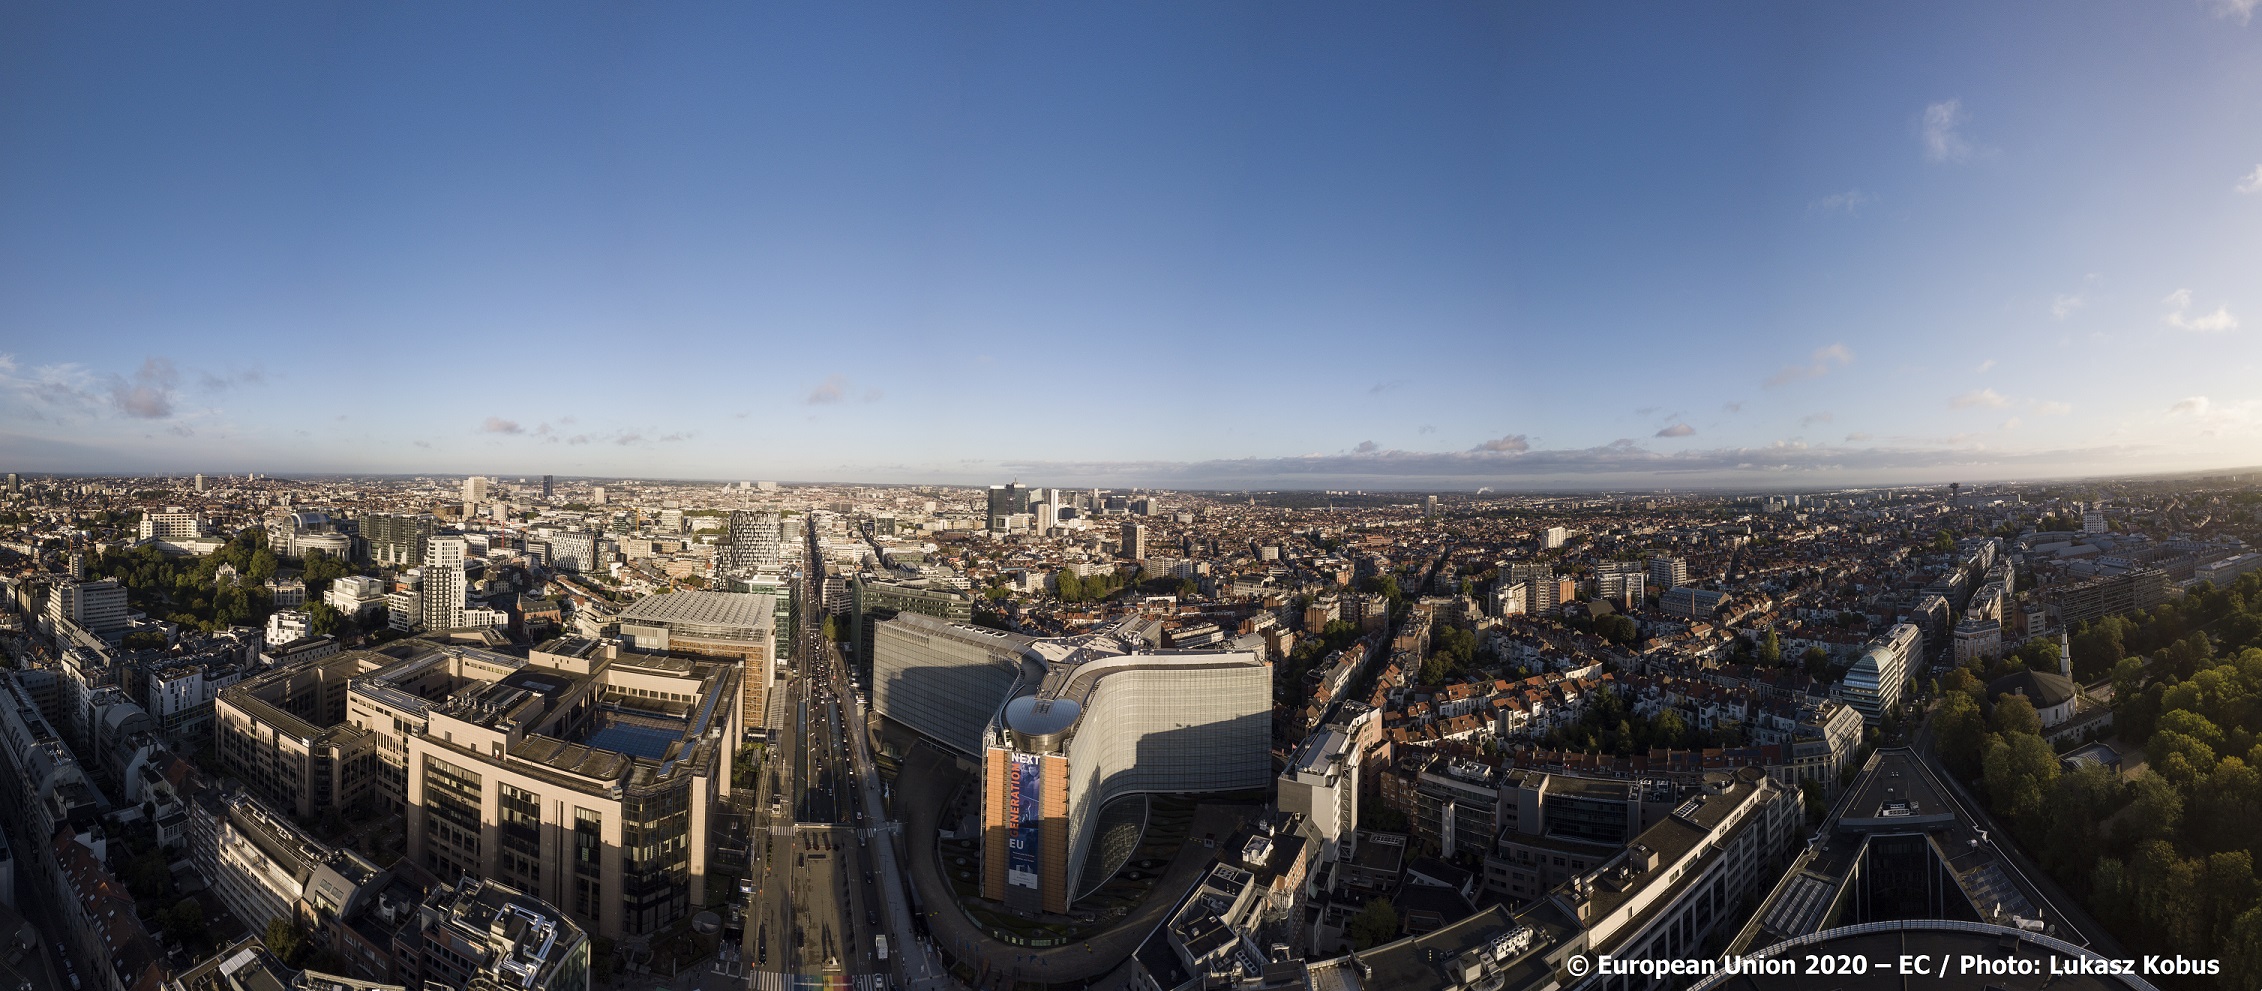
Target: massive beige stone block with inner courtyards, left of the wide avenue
(578, 775)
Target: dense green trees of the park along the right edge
(2164, 856)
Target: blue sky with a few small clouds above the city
(1279, 245)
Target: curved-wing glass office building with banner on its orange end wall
(1073, 734)
